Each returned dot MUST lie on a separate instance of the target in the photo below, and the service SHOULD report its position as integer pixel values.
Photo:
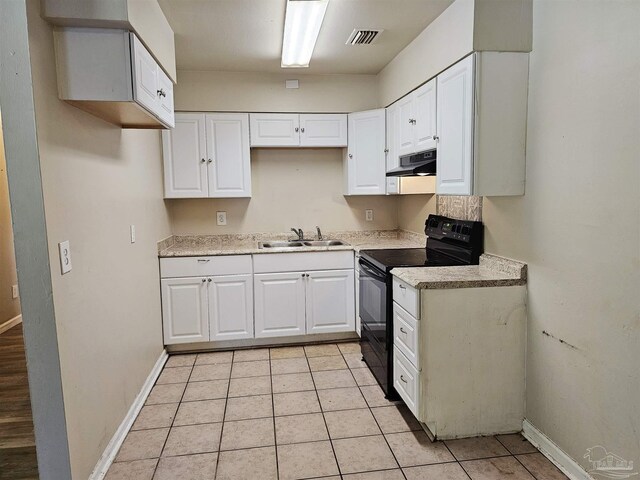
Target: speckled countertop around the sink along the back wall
(246, 244)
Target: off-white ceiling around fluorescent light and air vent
(246, 35)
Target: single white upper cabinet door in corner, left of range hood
(366, 164)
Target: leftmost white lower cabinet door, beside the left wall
(184, 310)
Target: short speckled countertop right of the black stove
(493, 271)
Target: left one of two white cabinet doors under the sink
(279, 304)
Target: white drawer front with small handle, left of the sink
(199, 266)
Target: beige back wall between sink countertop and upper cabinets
(290, 188)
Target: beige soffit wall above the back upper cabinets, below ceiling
(265, 92)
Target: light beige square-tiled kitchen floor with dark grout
(299, 413)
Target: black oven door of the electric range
(373, 303)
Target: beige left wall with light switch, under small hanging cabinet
(97, 180)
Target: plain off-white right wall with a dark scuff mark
(577, 226)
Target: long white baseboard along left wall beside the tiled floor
(115, 443)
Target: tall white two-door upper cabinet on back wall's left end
(207, 156)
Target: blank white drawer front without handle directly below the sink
(302, 262)
